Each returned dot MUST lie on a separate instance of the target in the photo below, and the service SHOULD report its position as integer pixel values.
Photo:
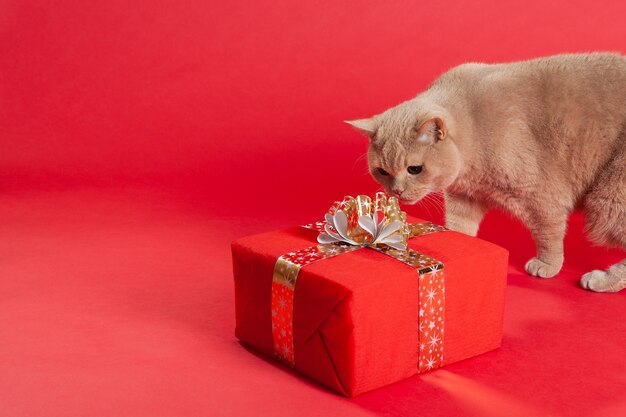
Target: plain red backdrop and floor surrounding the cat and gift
(139, 138)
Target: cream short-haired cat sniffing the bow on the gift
(537, 138)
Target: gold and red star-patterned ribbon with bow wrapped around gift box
(352, 224)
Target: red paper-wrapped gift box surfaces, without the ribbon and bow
(355, 315)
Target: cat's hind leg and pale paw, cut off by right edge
(605, 207)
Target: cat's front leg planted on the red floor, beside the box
(548, 230)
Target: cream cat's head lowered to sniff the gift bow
(411, 155)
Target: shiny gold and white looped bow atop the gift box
(361, 221)
